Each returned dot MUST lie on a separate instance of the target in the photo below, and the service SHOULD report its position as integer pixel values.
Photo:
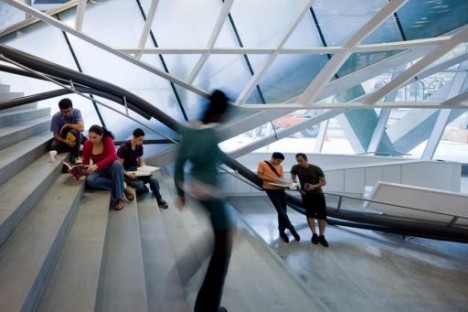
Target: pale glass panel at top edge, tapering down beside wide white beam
(340, 19)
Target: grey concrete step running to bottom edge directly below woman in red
(74, 281)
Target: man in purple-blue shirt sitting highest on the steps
(67, 126)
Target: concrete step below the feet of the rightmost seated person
(165, 291)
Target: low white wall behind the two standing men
(351, 174)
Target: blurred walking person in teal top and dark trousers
(199, 147)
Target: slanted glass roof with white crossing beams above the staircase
(361, 55)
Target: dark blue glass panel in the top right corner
(425, 19)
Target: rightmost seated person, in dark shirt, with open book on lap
(131, 153)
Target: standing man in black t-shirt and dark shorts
(312, 180)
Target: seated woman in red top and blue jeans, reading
(106, 171)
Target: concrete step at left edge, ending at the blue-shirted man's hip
(20, 154)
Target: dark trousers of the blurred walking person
(211, 291)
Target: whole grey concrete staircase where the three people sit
(63, 249)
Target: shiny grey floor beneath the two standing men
(365, 270)
